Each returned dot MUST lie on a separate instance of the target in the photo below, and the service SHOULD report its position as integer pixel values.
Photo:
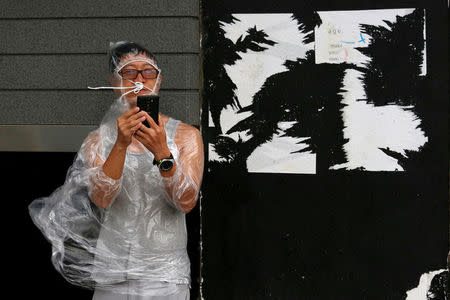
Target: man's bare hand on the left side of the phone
(127, 124)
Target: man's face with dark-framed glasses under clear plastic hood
(144, 72)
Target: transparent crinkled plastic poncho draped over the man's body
(141, 235)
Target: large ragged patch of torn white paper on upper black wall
(353, 92)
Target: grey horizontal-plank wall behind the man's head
(51, 50)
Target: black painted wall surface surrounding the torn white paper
(331, 235)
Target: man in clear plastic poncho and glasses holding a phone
(143, 181)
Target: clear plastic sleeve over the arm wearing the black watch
(184, 185)
